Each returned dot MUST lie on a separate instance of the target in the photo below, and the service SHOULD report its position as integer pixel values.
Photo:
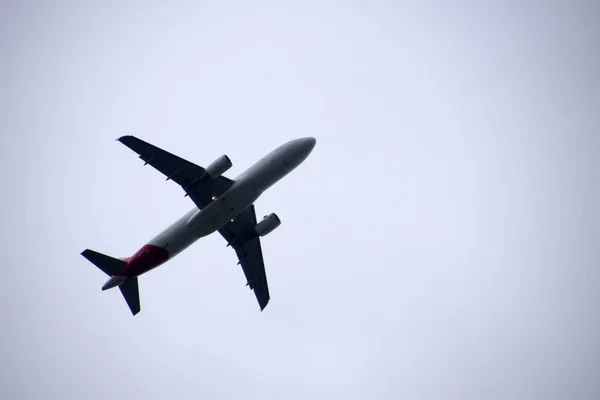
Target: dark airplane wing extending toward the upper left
(191, 177)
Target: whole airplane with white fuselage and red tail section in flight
(221, 204)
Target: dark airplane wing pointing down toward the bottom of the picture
(239, 234)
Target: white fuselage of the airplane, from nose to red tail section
(246, 188)
